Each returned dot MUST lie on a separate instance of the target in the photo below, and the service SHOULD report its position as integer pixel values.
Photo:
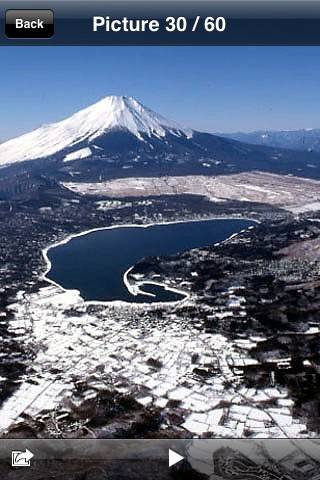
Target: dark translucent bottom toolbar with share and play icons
(160, 459)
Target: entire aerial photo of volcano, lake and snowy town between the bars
(160, 243)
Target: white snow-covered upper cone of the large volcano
(110, 113)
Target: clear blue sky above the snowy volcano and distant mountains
(213, 89)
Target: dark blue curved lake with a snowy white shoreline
(94, 263)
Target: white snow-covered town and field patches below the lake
(118, 346)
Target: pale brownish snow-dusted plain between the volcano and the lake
(291, 193)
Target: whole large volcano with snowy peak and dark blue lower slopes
(120, 137)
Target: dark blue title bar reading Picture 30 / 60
(254, 22)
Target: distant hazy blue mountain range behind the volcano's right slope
(307, 139)
